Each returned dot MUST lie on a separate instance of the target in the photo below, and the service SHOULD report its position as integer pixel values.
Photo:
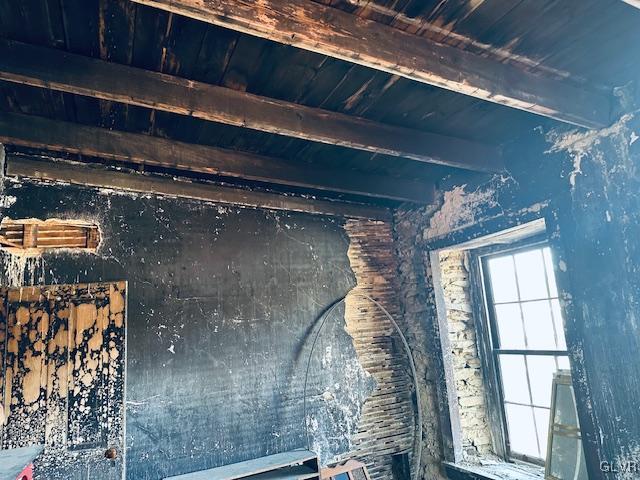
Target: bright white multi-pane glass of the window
(530, 344)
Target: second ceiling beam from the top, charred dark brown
(54, 69)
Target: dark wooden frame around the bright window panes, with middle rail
(488, 340)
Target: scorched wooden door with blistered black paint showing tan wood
(63, 378)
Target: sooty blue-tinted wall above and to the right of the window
(585, 185)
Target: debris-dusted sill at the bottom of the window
(493, 471)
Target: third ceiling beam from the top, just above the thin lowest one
(38, 132)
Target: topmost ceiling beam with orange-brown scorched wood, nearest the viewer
(330, 31)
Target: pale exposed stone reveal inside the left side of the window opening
(467, 372)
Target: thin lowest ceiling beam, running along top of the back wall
(93, 176)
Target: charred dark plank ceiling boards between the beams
(562, 40)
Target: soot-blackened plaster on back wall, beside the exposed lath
(220, 306)
